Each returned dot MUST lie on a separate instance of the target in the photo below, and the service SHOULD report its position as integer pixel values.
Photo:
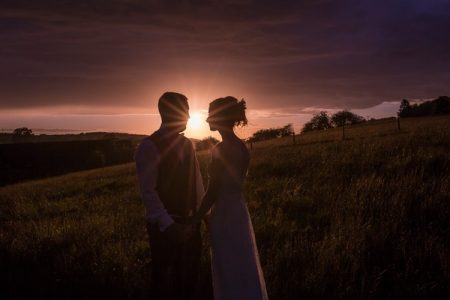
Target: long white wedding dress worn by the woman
(236, 269)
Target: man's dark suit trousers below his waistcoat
(175, 266)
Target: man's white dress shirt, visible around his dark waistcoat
(147, 159)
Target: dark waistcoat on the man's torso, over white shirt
(176, 185)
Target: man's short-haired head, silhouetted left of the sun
(174, 110)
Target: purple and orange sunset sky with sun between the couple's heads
(102, 64)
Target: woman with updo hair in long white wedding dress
(236, 269)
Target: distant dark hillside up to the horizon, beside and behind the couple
(39, 156)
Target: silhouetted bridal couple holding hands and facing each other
(175, 203)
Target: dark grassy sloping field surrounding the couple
(363, 218)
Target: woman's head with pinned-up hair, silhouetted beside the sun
(226, 112)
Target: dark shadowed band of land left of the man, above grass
(23, 161)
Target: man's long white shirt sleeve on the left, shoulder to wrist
(147, 171)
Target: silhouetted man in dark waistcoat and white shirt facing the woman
(171, 188)
